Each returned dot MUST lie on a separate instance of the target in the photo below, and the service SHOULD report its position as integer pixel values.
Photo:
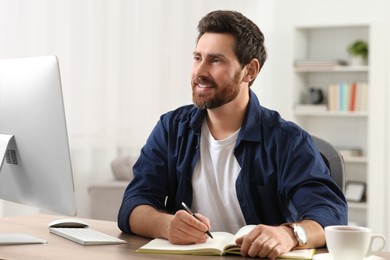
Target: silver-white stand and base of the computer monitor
(8, 154)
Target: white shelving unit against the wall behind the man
(362, 129)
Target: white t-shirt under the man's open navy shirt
(214, 183)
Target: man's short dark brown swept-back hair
(249, 38)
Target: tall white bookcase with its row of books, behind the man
(342, 128)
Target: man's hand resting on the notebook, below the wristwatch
(267, 241)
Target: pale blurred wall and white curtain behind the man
(125, 62)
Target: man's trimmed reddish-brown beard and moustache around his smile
(222, 95)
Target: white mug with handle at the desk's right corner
(352, 242)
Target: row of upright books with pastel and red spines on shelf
(349, 97)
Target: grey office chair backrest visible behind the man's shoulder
(333, 160)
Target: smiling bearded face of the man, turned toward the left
(216, 72)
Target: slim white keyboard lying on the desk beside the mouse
(86, 236)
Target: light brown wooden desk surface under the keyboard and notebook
(60, 248)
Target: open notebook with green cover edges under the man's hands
(223, 243)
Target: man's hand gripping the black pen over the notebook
(185, 229)
